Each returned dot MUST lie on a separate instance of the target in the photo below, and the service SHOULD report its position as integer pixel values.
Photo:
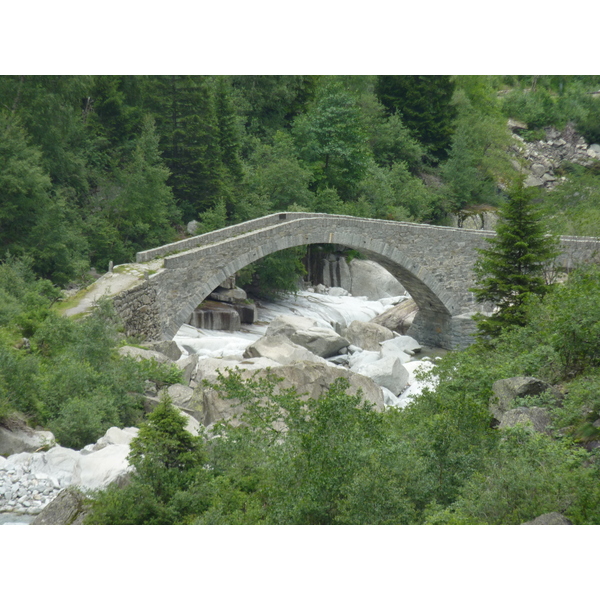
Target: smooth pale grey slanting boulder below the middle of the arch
(309, 334)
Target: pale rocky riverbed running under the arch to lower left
(309, 339)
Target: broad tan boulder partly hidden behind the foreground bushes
(312, 379)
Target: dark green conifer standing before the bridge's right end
(512, 268)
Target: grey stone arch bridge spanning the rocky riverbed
(433, 263)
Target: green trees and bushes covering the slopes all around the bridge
(95, 168)
